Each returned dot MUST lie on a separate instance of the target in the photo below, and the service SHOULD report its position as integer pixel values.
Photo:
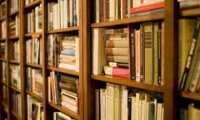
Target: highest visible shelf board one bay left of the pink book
(63, 30)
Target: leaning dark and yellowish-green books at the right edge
(189, 63)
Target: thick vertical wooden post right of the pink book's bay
(170, 57)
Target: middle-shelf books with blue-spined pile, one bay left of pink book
(63, 51)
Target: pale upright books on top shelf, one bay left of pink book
(58, 19)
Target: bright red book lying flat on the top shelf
(148, 7)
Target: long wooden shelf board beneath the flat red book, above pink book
(129, 20)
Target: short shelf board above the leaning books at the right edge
(190, 12)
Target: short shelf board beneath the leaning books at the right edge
(190, 95)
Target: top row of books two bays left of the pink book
(34, 20)
